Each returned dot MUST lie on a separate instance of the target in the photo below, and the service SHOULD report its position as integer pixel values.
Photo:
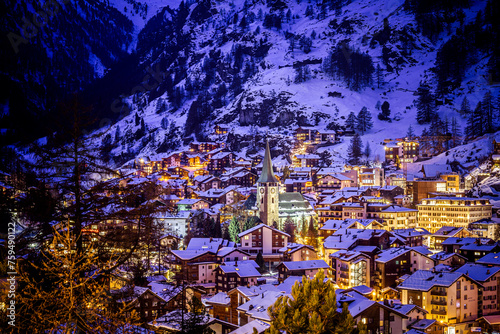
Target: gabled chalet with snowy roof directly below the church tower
(266, 240)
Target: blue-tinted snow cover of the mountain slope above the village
(205, 45)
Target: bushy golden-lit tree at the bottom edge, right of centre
(311, 308)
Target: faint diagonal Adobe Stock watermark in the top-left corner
(40, 19)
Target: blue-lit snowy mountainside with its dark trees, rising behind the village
(260, 67)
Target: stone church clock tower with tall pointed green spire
(267, 192)
